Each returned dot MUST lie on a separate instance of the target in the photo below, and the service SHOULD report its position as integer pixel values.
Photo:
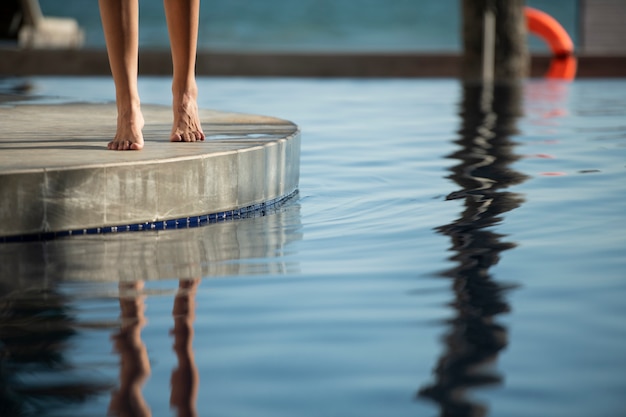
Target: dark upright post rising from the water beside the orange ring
(498, 25)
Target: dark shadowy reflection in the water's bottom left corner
(36, 376)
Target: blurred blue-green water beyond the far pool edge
(311, 25)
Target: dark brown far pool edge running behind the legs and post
(94, 62)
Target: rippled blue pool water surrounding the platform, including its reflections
(452, 251)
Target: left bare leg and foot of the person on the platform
(120, 21)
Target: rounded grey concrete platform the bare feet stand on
(58, 178)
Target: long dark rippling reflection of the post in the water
(474, 339)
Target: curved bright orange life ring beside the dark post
(563, 65)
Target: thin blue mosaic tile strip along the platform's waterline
(256, 210)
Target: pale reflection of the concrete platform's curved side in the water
(215, 250)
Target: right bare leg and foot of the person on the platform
(182, 24)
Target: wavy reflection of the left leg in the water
(135, 366)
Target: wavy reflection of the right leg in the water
(185, 377)
